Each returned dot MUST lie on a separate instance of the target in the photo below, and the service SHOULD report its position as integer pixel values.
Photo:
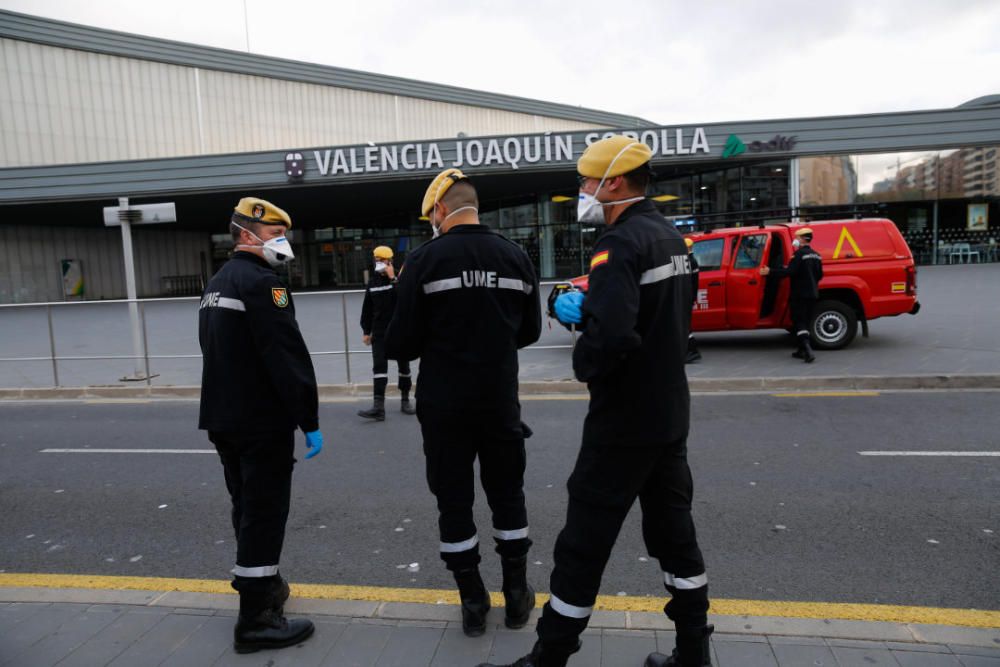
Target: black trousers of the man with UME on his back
(452, 443)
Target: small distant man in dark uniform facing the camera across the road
(379, 304)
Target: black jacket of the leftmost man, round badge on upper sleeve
(256, 373)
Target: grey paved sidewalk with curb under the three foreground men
(88, 627)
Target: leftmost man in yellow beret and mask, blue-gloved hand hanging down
(257, 388)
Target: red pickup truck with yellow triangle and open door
(868, 272)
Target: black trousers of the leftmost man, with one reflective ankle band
(258, 469)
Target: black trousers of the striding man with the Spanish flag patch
(604, 485)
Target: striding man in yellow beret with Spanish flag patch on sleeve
(635, 321)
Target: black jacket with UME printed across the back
(466, 301)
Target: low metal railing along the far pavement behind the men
(143, 368)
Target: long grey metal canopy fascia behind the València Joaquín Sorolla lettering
(965, 126)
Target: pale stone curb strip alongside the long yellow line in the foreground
(907, 633)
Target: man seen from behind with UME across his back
(467, 301)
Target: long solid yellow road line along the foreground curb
(975, 618)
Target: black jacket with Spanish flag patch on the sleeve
(637, 316)
